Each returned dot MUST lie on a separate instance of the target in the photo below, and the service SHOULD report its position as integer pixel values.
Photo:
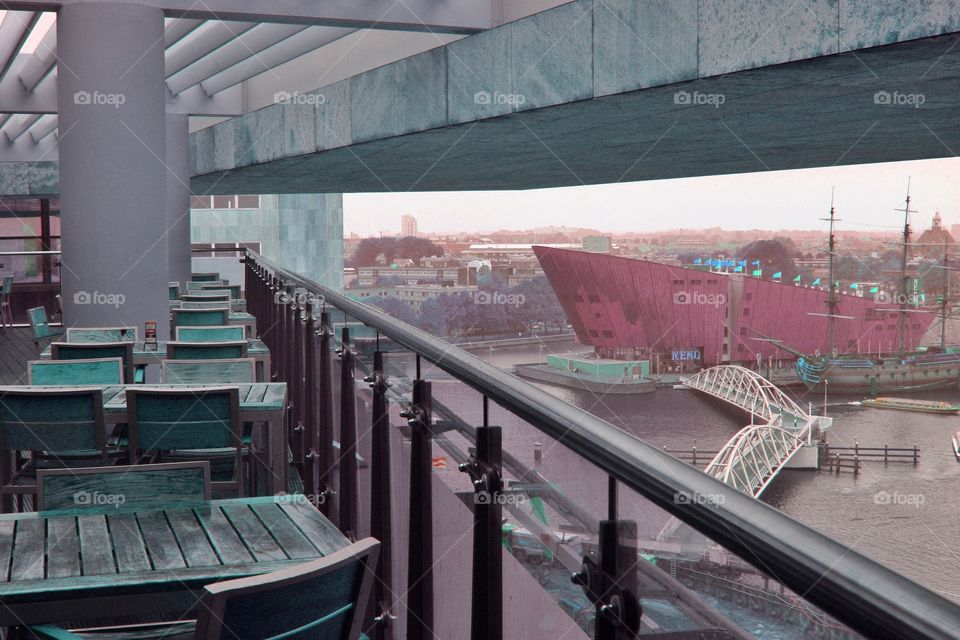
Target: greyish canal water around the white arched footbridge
(902, 516)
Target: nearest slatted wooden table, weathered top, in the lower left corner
(72, 565)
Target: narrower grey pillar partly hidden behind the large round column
(178, 197)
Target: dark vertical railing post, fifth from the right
(348, 441)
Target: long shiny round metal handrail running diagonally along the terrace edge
(858, 591)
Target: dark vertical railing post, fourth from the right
(381, 515)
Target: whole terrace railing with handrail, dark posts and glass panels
(486, 490)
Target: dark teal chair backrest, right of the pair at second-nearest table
(164, 419)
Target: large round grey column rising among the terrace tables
(112, 165)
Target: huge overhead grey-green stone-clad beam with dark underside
(603, 91)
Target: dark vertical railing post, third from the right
(420, 542)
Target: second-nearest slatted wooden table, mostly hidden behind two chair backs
(260, 402)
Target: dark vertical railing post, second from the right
(484, 468)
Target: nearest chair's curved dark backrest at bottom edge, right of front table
(325, 598)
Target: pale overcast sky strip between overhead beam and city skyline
(866, 196)
